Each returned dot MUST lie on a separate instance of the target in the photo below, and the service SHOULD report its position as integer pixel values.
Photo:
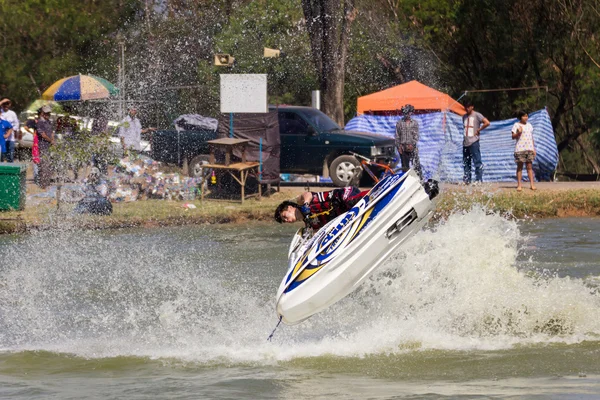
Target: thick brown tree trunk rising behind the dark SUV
(328, 23)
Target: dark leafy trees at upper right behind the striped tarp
(489, 44)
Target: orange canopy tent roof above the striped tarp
(422, 97)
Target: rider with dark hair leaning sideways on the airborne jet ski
(318, 208)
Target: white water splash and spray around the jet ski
(457, 286)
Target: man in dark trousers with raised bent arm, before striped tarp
(473, 123)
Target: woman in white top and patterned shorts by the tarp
(522, 132)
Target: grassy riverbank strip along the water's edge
(556, 199)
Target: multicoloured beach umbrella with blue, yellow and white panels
(80, 87)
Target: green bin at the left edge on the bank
(13, 189)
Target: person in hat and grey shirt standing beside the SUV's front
(407, 137)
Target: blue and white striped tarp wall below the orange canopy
(440, 150)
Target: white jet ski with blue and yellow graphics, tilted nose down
(325, 267)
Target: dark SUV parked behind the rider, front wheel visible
(312, 143)
